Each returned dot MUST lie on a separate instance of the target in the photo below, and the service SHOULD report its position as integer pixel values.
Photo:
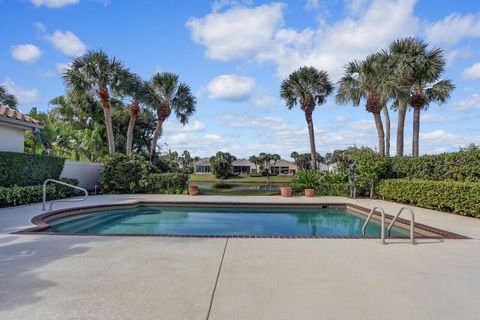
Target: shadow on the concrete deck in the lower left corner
(21, 262)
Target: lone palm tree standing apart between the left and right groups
(308, 87)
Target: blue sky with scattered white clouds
(234, 55)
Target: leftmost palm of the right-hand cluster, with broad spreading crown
(369, 80)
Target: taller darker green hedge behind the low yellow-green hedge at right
(457, 166)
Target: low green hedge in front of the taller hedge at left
(14, 196)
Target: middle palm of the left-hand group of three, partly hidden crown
(135, 88)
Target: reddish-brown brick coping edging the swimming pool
(41, 221)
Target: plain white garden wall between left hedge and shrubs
(87, 173)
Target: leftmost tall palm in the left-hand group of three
(95, 72)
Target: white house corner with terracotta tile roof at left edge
(13, 124)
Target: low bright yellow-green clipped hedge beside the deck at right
(451, 196)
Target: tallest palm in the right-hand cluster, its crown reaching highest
(407, 54)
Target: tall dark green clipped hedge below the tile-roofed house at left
(23, 169)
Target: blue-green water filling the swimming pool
(220, 221)
